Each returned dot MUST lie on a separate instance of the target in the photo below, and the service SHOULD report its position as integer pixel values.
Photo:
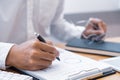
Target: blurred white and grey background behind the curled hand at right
(107, 10)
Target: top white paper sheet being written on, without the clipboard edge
(70, 64)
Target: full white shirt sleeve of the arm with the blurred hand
(62, 29)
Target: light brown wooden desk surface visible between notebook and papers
(97, 57)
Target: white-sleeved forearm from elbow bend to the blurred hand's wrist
(65, 31)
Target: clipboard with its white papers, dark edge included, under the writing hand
(72, 67)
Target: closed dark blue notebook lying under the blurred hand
(101, 48)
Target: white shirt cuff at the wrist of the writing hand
(4, 50)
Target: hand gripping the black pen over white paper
(31, 55)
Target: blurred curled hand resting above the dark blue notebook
(95, 30)
